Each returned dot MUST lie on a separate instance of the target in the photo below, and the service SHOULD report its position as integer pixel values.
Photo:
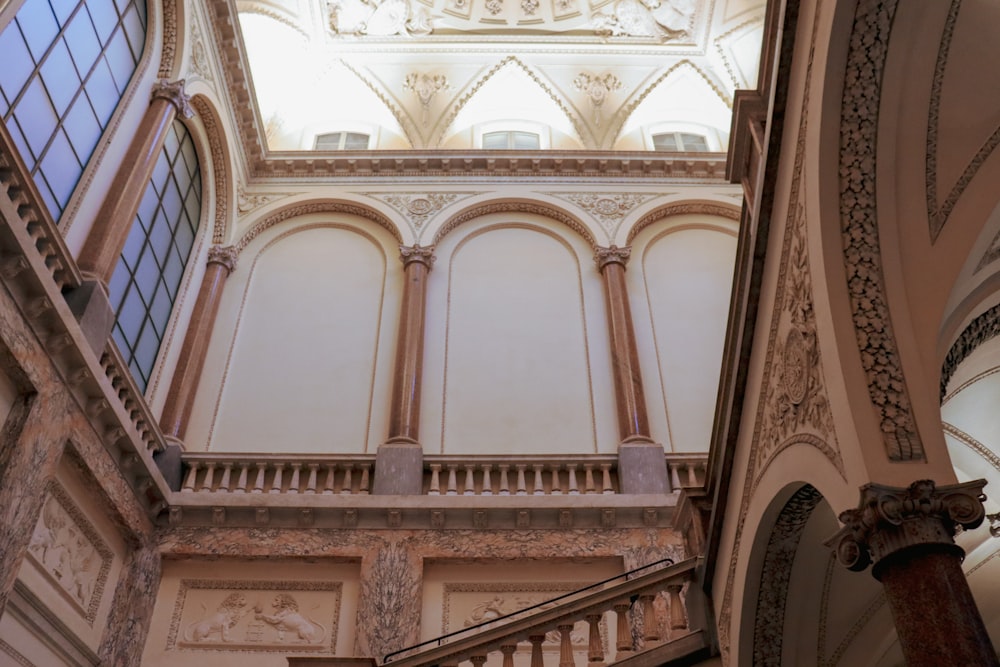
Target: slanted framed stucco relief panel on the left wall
(68, 549)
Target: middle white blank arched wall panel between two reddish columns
(511, 339)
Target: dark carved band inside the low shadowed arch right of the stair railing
(776, 571)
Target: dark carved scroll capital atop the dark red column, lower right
(890, 519)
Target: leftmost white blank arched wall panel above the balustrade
(301, 355)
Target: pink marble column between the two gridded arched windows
(107, 237)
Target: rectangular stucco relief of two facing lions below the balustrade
(269, 616)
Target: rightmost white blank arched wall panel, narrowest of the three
(679, 280)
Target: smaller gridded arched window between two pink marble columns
(148, 276)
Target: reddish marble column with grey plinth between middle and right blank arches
(641, 464)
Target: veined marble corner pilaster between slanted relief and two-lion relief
(131, 615)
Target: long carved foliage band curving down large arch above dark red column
(873, 328)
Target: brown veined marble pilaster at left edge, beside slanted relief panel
(31, 444)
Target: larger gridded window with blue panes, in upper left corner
(65, 67)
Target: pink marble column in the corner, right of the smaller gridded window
(180, 398)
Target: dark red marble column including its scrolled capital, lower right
(907, 535)
